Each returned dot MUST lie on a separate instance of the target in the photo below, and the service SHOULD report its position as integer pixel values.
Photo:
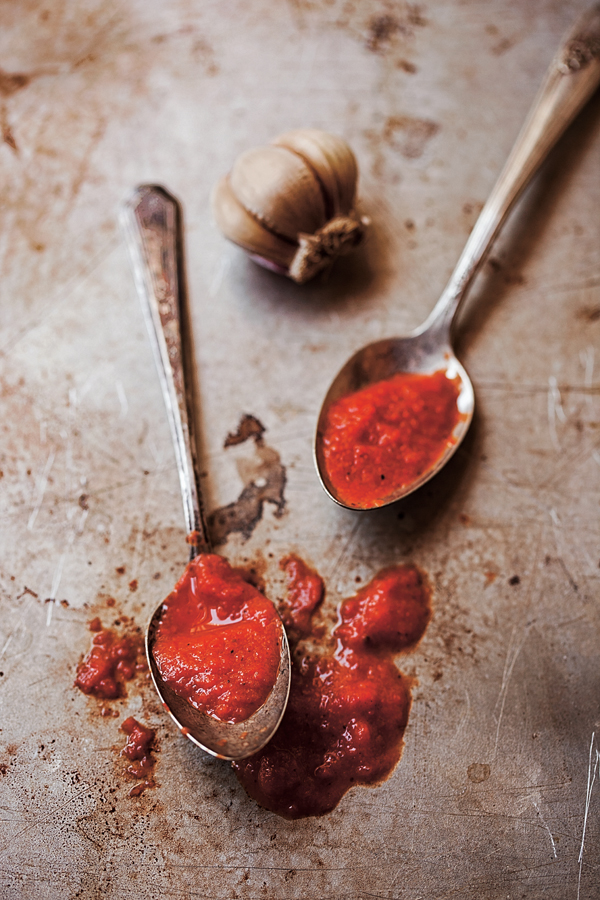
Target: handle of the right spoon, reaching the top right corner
(570, 81)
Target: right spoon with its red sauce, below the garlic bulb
(399, 408)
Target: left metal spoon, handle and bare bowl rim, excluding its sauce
(152, 223)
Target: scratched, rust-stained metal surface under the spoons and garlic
(497, 793)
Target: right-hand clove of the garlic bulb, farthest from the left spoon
(331, 159)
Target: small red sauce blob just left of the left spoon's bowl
(111, 661)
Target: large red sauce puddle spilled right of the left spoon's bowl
(349, 706)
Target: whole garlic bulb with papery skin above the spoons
(291, 204)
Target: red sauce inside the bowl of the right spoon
(385, 436)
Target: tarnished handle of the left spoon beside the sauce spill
(152, 223)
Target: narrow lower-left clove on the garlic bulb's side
(243, 229)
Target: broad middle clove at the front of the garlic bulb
(280, 190)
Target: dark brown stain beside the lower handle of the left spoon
(265, 478)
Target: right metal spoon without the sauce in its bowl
(569, 83)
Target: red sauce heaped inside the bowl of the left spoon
(217, 643)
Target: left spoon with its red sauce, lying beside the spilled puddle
(216, 647)
